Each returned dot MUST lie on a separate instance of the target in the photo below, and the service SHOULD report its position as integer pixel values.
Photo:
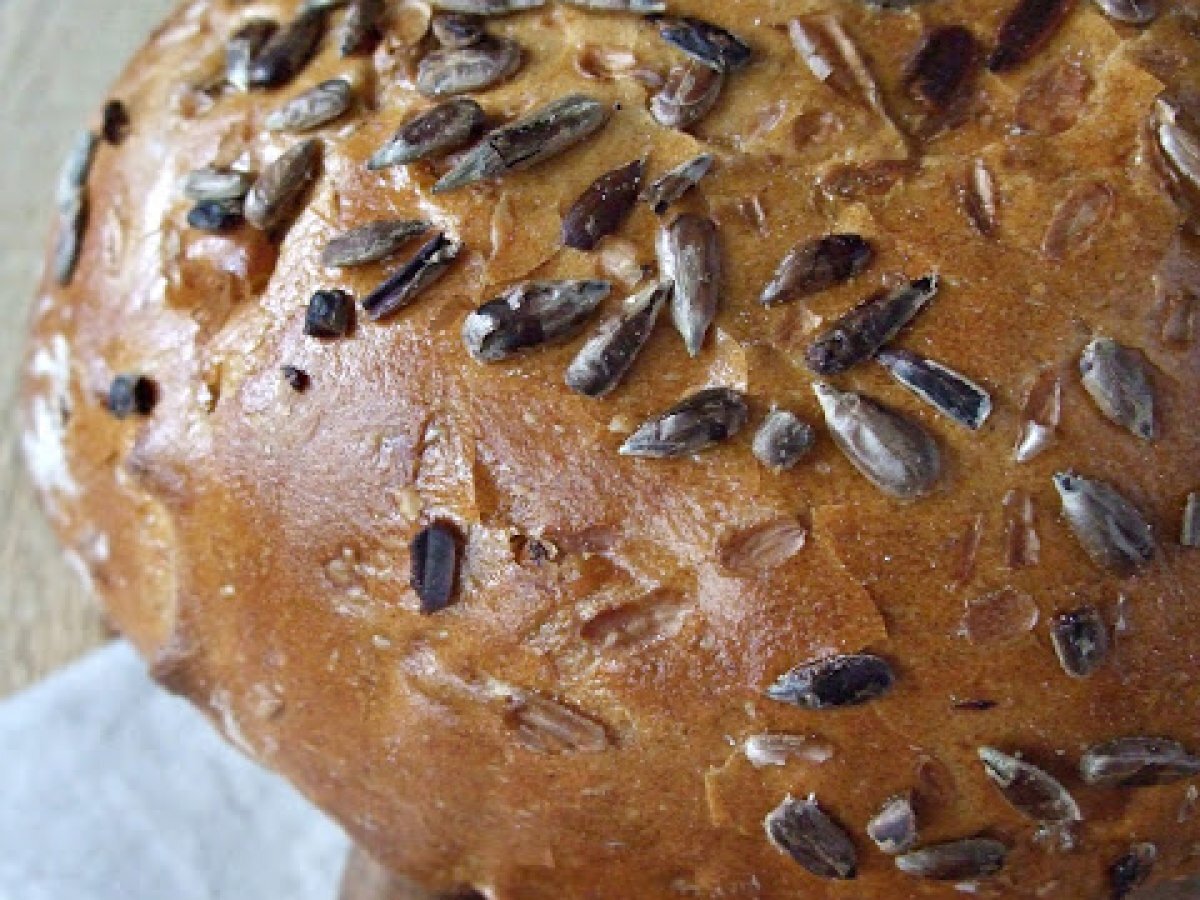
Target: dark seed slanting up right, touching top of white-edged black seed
(861, 333)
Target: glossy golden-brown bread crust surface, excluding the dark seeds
(254, 541)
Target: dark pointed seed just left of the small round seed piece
(694, 424)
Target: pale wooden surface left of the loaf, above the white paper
(57, 61)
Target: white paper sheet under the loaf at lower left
(113, 790)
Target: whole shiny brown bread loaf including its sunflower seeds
(405, 560)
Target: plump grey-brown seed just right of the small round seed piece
(892, 452)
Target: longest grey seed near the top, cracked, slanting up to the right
(541, 136)
